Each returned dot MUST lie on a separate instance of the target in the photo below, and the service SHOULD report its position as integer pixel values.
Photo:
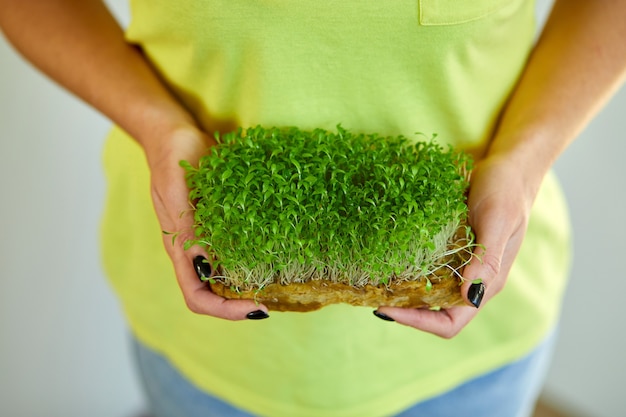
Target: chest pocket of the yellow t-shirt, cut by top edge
(452, 12)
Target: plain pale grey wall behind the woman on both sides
(63, 343)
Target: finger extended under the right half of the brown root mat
(443, 323)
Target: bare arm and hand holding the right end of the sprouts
(577, 64)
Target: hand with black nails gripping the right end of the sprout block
(499, 205)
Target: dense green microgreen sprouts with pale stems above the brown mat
(285, 205)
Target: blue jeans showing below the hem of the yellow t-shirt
(510, 391)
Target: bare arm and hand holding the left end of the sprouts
(80, 45)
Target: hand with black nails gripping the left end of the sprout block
(171, 203)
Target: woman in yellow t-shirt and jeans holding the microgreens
(467, 71)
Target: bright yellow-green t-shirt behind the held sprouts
(391, 67)
